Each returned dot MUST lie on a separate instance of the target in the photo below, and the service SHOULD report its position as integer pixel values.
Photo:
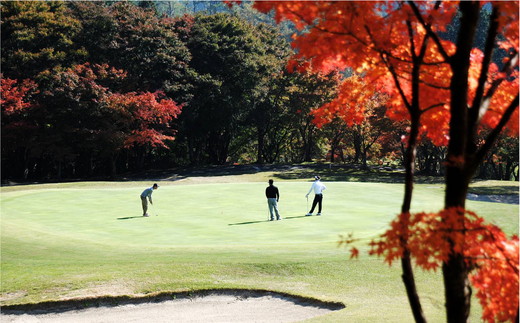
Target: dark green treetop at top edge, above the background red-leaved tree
(149, 49)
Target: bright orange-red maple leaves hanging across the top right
(375, 36)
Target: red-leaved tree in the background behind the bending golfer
(89, 100)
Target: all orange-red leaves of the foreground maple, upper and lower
(398, 48)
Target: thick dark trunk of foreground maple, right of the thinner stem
(455, 272)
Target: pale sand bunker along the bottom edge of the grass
(208, 307)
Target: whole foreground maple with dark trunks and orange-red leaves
(449, 90)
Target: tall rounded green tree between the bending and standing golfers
(233, 62)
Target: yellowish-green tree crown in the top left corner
(37, 35)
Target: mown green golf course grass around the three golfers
(62, 241)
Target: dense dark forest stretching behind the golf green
(97, 89)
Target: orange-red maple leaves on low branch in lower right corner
(432, 237)
